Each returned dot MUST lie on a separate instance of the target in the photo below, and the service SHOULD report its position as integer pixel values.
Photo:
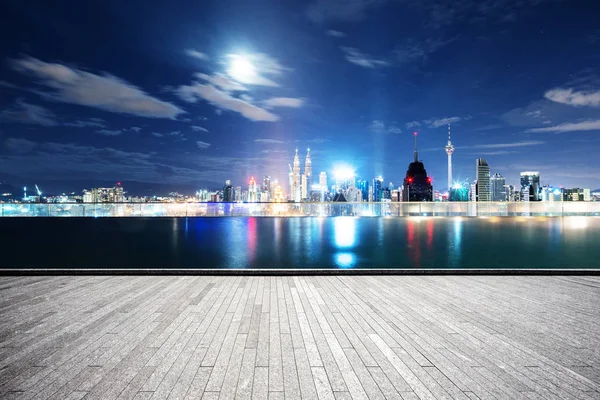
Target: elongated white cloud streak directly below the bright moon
(223, 100)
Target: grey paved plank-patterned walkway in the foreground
(322, 337)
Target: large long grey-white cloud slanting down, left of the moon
(106, 92)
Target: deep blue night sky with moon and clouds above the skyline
(197, 92)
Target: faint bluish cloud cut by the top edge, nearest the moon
(321, 11)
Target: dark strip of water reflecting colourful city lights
(340, 242)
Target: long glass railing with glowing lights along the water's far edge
(387, 209)
